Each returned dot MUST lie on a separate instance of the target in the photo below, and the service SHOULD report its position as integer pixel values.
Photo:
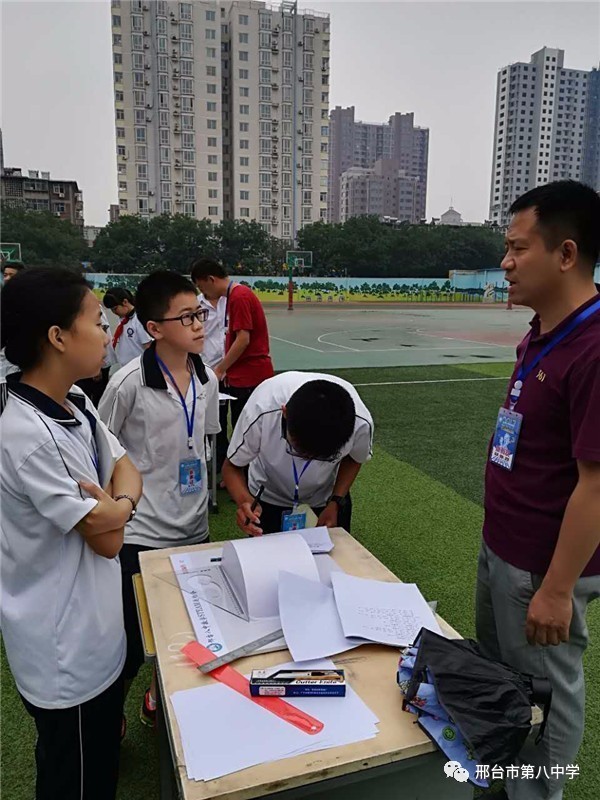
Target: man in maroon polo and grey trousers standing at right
(539, 564)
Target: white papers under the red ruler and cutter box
(223, 732)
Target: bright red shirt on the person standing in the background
(245, 313)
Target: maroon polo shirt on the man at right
(560, 404)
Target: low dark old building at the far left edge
(38, 191)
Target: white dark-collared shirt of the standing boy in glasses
(146, 415)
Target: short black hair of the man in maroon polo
(565, 210)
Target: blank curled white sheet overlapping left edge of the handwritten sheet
(310, 620)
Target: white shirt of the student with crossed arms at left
(62, 614)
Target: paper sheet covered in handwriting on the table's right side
(388, 613)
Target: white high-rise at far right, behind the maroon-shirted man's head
(539, 128)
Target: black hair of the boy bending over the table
(320, 418)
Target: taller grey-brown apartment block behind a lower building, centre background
(363, 144)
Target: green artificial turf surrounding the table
(417, 507)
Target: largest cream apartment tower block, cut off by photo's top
(222, 111)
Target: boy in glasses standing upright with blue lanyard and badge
(161, 406)
